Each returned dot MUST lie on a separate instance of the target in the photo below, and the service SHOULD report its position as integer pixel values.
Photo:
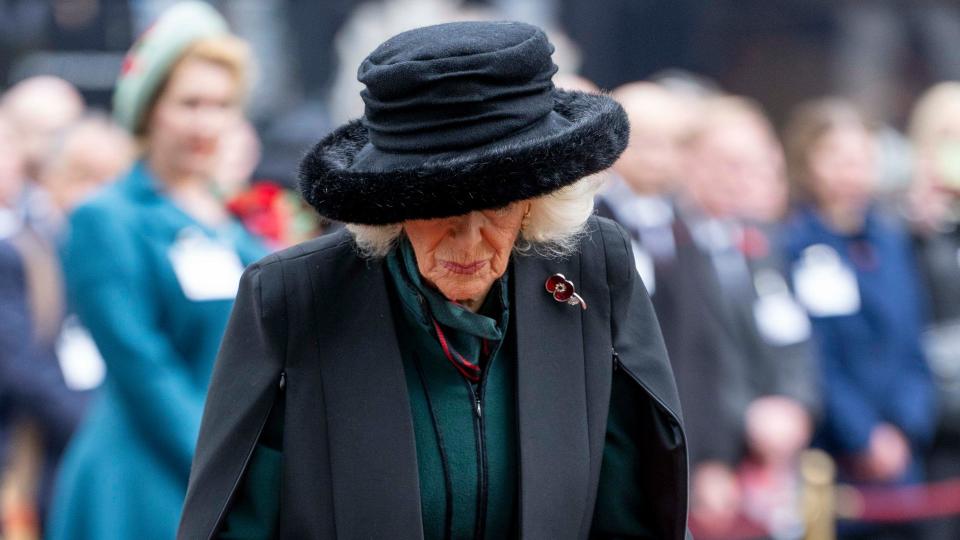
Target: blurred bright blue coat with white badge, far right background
(872, 365)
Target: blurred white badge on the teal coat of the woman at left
(205, 268)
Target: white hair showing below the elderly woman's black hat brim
(552, 229)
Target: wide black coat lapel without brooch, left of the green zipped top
(372, 448)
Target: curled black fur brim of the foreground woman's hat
(593, 131)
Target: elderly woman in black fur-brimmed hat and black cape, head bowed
(475, 356)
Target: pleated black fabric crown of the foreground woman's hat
(456, 86)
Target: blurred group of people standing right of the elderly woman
(801, 304)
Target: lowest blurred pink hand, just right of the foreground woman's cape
(715, 501)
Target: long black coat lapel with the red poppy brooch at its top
(552, 408)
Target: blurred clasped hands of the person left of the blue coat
(777, 429)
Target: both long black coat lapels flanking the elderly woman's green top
(371, 435)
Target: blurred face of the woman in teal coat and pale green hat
(198, 105)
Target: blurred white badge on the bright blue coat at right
(824, 284)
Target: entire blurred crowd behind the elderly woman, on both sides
(806, 300)
